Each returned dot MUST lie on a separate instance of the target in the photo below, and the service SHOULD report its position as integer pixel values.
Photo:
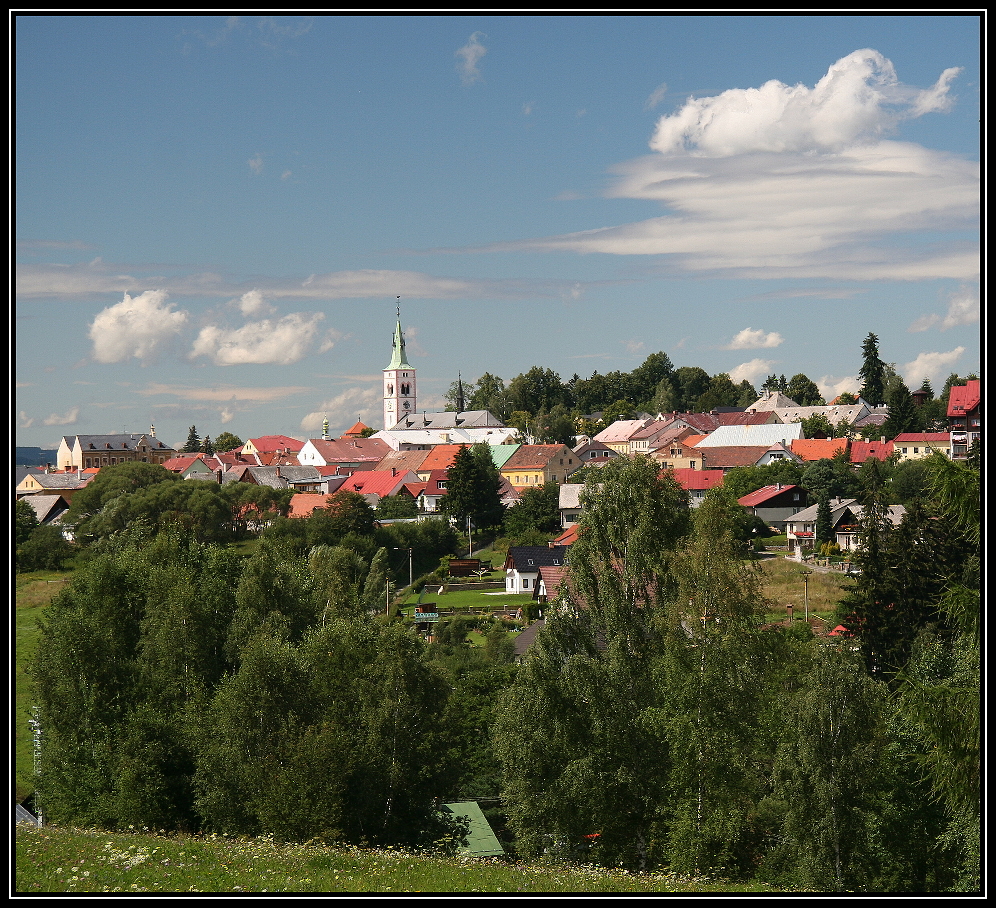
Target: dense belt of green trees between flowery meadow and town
(190, 681)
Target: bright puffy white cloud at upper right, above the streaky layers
(858, 101)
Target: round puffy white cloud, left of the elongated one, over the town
(136, 327)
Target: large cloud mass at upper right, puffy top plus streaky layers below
(783, 182)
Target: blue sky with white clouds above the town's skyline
(214, 216)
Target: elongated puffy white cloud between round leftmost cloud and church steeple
(283, 341)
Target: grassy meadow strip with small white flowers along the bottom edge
(53, 859)
